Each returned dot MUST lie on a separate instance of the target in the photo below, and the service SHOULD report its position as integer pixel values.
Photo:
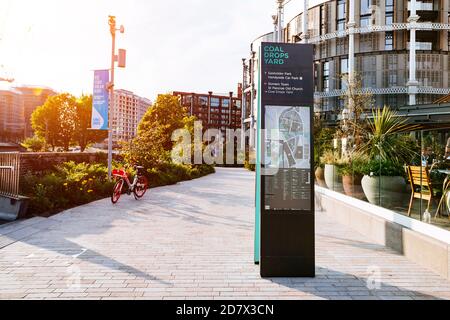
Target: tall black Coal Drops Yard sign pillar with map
(286, 160)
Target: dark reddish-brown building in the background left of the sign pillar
(214, 111)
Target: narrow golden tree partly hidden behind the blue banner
(83, 135)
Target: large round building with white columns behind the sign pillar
(399, 48)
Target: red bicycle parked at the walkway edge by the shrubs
(138, 187)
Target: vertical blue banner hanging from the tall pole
(100, 100)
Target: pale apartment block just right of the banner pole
(126, 114)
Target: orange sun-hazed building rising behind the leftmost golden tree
(33, 97)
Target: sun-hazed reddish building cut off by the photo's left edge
(12, 122)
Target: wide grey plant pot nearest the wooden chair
(390, 194)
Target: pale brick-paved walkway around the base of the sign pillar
(193, 240)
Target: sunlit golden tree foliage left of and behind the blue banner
(64, 120)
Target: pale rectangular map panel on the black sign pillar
(287, 137)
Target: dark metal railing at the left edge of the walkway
(9, 174)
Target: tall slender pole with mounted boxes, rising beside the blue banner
(114, 58)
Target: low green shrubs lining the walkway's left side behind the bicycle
(72, 184)
